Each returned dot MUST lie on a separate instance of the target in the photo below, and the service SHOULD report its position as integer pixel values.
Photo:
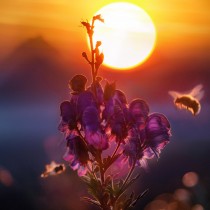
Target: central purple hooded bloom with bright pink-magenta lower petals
(93, 132)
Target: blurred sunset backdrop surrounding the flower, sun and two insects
(40, 50)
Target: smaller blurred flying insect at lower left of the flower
(53, 169)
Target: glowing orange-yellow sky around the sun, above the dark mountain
(183, 27)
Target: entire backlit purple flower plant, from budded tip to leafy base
(98, 121)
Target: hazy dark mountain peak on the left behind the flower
(32, 72)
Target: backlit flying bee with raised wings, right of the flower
(189, 100)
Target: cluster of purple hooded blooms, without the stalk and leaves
(95, 115)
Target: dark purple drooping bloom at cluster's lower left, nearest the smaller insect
(77, 154)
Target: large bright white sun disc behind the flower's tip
(128, 35)
